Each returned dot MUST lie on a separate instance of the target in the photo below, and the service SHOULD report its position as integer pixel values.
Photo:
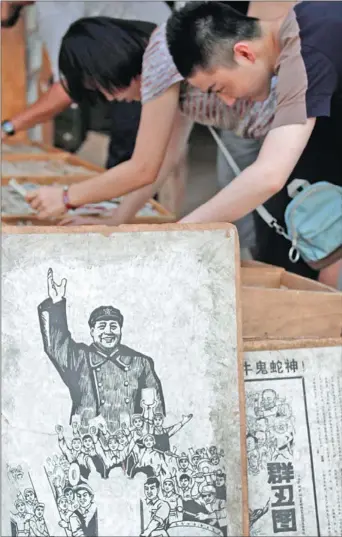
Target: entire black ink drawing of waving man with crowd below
(118, 424)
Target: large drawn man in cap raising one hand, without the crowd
(105, 378)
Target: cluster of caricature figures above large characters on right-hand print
(270, 430)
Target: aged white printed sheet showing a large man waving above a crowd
(120, 385)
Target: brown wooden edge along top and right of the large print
(228, 228)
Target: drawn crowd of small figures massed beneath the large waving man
(179, 486)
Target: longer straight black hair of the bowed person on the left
(101, 53)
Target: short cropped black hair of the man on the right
(203, 34)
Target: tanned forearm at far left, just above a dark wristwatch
(54, 101)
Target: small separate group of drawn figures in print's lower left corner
(27, 516)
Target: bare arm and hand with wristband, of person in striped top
(155, 129)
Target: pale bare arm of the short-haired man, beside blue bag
(279, 154)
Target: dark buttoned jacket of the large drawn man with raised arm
(99, 383)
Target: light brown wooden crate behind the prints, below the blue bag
(278, 305)
